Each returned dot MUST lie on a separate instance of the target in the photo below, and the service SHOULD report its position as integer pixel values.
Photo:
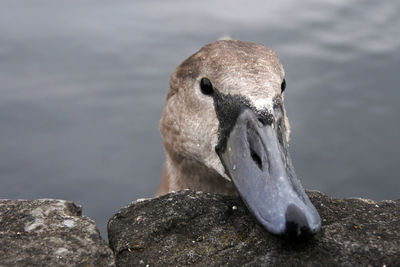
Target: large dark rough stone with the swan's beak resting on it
(188, 228)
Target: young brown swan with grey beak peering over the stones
(225, 130)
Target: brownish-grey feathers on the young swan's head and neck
(189, 126)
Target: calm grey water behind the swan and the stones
(82, 87)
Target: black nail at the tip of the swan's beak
(296, 224)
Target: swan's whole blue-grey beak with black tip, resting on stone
(257, 160)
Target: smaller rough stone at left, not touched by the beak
(49, 232)
